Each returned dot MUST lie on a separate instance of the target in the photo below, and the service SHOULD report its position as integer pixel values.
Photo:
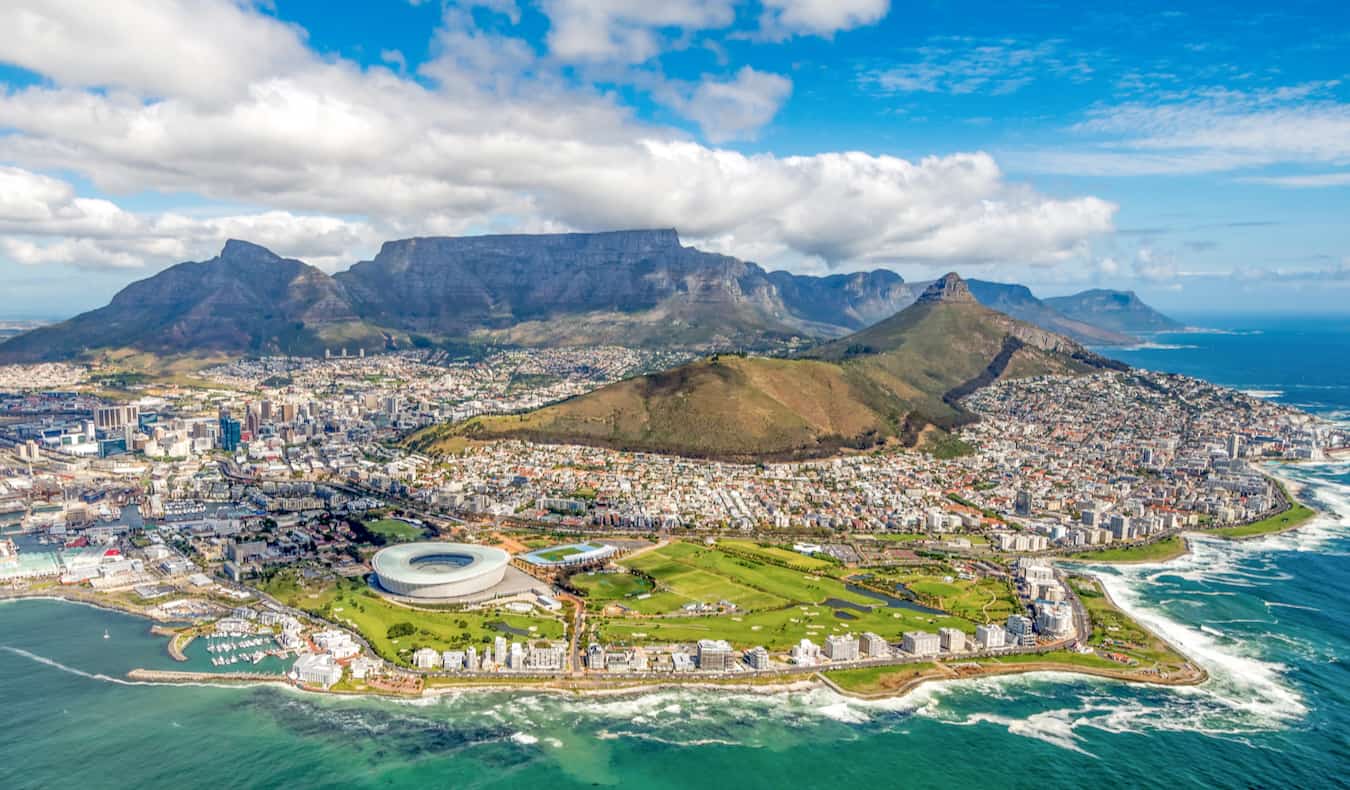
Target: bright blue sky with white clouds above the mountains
(1195, 153)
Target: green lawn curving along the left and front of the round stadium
(354, 604)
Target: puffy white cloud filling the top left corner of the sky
(156, 48)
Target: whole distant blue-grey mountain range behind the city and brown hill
(638, 288)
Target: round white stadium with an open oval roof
(439, 571)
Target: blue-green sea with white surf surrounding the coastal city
(1270, 619)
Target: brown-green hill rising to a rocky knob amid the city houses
(897, 381)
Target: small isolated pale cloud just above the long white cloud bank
(735, 109)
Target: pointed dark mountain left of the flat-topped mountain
(245, 300)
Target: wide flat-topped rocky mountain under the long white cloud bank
(622, 287)
